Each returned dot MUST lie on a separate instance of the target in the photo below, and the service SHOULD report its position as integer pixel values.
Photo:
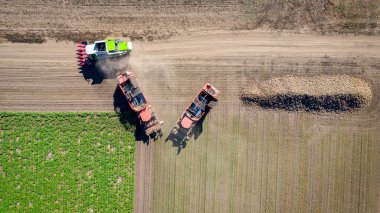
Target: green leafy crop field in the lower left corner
(66, 162)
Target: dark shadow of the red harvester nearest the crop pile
(179, 136)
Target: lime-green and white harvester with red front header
(90, 53)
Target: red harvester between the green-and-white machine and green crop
(139, 104)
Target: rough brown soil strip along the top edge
(33, 21)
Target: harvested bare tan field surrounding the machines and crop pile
(245, 160)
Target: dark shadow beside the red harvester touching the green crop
(127, 117)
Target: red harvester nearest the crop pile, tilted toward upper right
(196, 111)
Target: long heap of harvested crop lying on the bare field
(318, 93)
